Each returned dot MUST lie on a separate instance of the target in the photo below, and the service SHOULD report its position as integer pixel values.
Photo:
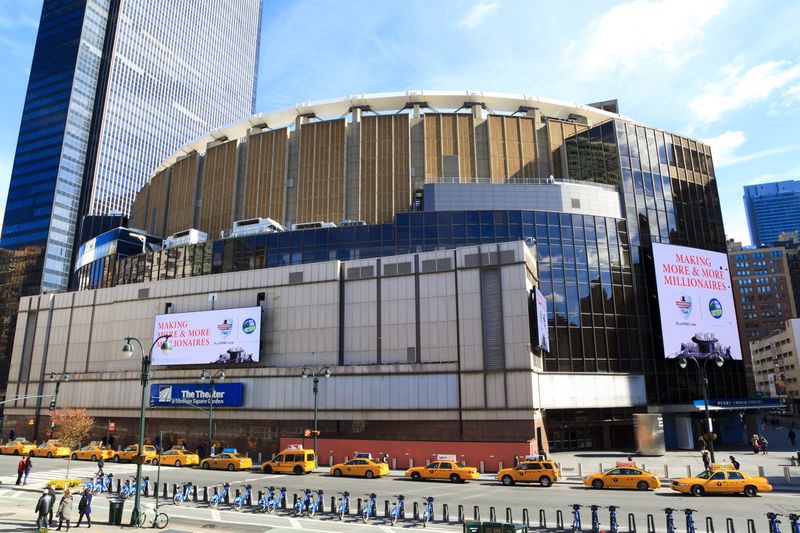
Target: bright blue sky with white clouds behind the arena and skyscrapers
(720, 71)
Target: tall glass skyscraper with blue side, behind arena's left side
(106, 76)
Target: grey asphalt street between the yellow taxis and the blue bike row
(484, 492)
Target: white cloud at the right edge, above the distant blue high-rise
(739, 88)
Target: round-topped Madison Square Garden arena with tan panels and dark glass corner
(452, 211)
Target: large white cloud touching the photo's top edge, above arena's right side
(638, 33)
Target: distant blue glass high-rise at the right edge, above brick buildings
(772, 209)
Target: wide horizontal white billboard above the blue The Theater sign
(226, 336)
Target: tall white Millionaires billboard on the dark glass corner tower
(695, 300)
